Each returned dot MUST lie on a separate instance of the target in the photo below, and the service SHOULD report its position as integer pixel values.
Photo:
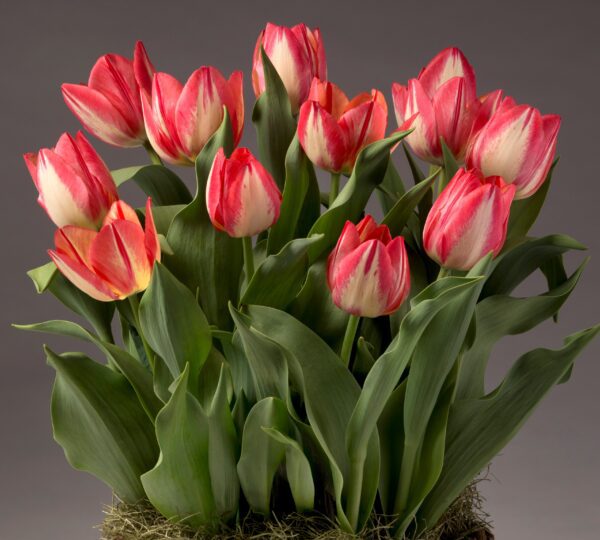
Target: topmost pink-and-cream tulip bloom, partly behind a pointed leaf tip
(297, 54)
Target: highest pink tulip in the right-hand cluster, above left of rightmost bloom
(445, 101)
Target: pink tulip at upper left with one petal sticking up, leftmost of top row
(109, 105)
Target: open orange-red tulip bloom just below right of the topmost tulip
(333, 129)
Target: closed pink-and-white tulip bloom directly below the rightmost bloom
(468, 220)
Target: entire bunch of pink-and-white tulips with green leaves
(271, 347)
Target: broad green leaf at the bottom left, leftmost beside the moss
(100, 424)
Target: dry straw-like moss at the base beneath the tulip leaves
(464, 520)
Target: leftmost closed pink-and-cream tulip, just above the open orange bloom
(75, 187)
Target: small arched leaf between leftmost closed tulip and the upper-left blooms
(156, 181)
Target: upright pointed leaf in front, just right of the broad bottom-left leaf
(179, 486)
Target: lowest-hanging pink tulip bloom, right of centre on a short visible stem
(368, 272)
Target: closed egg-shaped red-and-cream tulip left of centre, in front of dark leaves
(241, 196)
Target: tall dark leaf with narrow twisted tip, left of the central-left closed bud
(206, 260)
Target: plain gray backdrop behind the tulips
(545, 483)
